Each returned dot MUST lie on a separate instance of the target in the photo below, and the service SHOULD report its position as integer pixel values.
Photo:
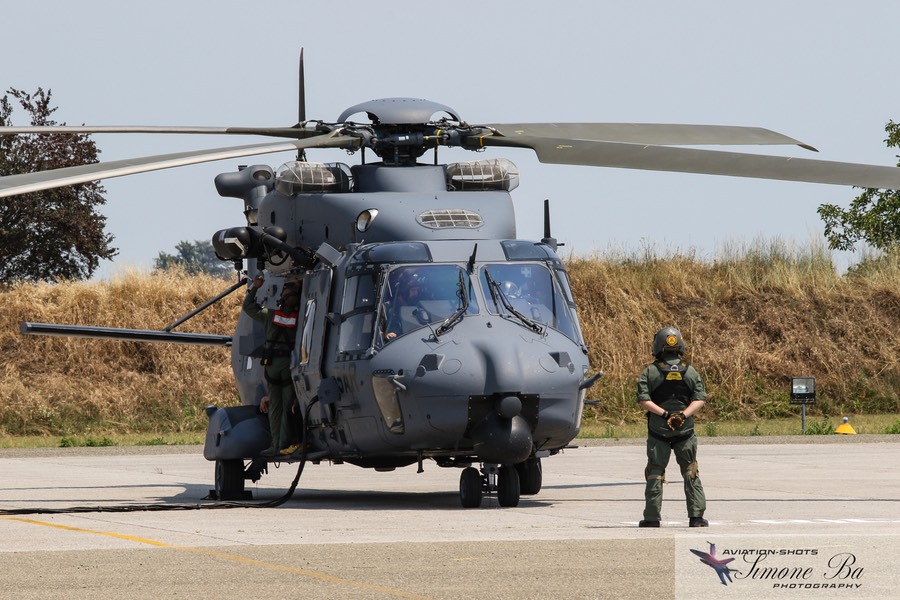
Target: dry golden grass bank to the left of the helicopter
(61, 386)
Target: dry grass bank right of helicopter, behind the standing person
(752, 320)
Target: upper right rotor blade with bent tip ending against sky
(658, 134)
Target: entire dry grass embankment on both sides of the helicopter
(752, 318)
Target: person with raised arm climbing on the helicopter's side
(281, 333)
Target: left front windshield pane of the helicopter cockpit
(420, 295)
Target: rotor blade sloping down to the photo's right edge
(567, 151)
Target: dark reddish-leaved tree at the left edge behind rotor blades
(54, 234)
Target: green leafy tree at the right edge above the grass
(873, 217)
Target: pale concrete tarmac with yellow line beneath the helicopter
(817, 519)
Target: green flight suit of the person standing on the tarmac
(671, 384)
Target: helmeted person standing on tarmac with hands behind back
(671, 391)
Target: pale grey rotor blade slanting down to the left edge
(42, 180)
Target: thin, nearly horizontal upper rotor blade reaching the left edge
(299, 131)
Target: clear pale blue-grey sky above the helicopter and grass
(821, 71)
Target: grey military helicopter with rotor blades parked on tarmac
(489, 366)
